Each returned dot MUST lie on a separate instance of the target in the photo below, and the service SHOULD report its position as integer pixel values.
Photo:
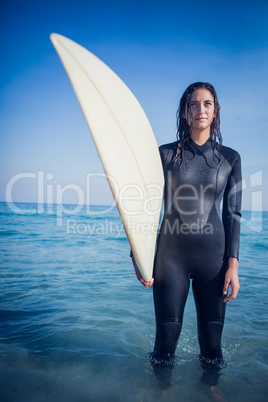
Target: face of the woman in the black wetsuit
(202, 110)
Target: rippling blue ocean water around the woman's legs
(76, 325)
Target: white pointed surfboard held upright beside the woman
(125, 143)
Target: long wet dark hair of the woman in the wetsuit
(184, 114)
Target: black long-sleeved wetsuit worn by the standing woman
(195, 242)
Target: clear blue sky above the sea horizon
(158, 48)
